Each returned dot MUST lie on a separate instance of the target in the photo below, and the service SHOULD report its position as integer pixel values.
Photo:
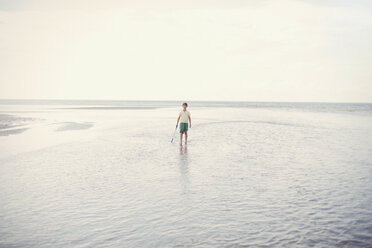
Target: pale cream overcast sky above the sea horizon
(253, 50)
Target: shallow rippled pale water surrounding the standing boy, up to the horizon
(104, 174)
